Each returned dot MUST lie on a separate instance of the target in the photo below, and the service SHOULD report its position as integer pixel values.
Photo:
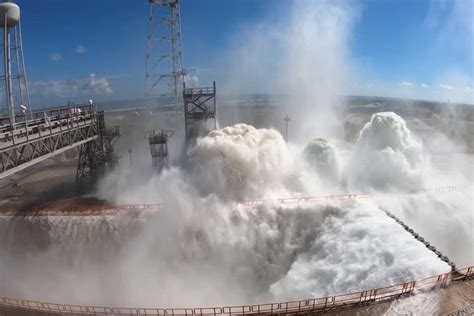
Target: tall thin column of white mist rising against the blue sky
(299, 54)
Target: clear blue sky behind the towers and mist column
(417, 49)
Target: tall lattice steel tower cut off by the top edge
(164, 73)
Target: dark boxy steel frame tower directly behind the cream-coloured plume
(199, 107)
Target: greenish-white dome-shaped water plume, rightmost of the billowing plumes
(387, 157)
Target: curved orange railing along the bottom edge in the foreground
(336, 302)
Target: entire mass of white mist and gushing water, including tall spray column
(204, 246)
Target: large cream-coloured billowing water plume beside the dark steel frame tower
(241, 162)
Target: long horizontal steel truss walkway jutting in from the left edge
(49, 132)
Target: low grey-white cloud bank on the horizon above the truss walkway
(88, 87)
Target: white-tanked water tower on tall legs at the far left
(15, 97)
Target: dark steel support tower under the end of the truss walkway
(97, 156)
